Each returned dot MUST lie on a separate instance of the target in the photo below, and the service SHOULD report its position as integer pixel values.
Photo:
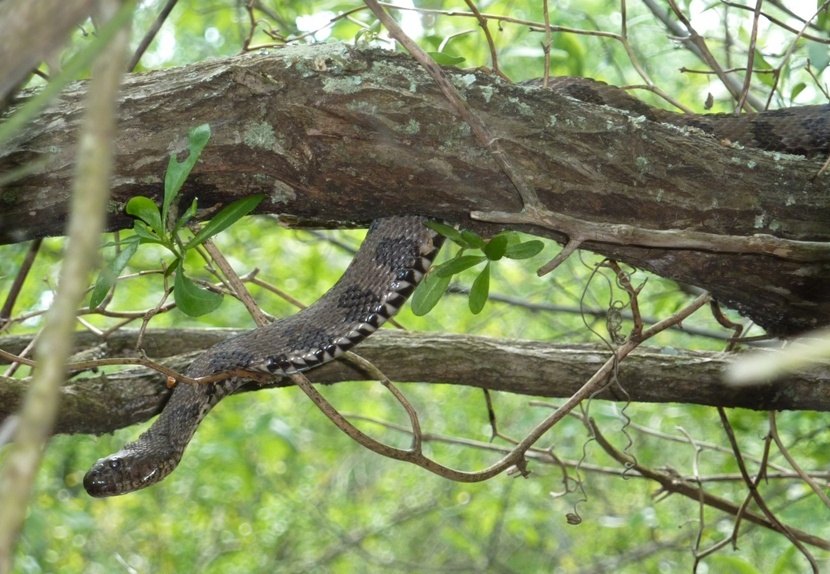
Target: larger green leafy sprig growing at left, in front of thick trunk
(156, 227)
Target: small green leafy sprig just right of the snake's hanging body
(507, 244)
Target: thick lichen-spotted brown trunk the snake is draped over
(337, 135)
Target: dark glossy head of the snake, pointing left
(121, 473)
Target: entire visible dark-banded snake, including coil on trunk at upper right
(392, 260)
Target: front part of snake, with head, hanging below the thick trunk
(394, 256)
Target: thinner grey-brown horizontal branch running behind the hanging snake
(104, 403)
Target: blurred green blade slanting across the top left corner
(70, 70)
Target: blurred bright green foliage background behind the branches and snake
(269, 485)
